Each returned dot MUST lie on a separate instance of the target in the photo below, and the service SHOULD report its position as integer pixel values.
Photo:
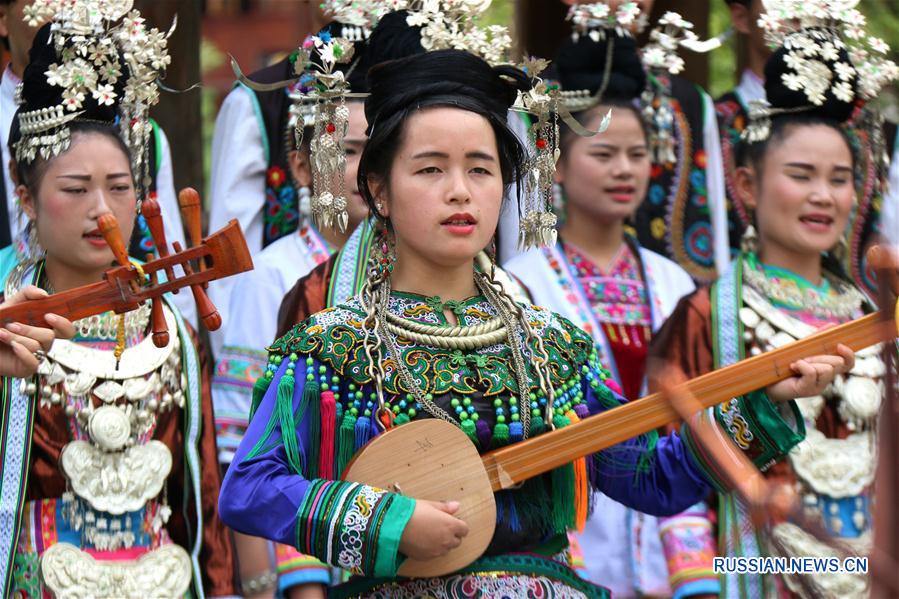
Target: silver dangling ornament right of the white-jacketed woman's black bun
(660, 58)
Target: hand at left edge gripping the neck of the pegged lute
(23, 347)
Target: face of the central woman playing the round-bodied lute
(445, 187)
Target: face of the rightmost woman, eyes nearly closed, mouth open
(805, 193)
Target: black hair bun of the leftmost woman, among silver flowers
(37, 93)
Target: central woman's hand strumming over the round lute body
(433, 530)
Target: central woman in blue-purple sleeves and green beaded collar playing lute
(432, 337)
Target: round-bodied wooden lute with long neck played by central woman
(432, 459)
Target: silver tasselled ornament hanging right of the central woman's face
(547, 104)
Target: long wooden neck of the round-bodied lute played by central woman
(511, 465)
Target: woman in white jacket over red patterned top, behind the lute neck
(599, 277)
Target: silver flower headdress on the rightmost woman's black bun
(813, 34)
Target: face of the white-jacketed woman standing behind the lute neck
(605, 177)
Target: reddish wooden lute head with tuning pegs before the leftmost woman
(221, 254)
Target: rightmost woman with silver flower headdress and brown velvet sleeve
(796, 175)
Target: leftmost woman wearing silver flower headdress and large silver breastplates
(111, 444)
